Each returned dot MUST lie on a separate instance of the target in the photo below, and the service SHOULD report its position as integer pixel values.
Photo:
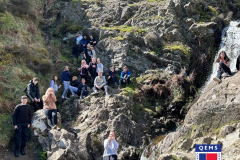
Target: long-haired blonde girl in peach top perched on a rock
(50, 108)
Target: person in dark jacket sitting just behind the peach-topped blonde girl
(33, 94)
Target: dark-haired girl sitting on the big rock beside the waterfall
(223, 64)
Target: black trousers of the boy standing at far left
(21, 134)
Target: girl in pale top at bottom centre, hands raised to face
(110, 147)
